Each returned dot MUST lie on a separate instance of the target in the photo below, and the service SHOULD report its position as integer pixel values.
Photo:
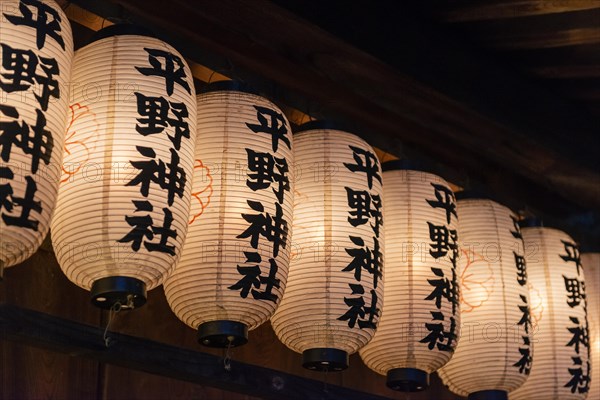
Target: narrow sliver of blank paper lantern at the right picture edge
(591, 265)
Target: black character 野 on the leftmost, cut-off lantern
(21, 73)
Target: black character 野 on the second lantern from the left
(154, 113)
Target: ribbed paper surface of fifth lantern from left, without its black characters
(400, 338)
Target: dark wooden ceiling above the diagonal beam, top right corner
(554, 42)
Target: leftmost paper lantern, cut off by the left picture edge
(36, 51)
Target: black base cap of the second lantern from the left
(118, 292)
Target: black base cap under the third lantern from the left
(222, 334)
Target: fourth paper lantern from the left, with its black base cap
(332, 303)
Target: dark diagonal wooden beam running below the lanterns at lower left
(76, 339)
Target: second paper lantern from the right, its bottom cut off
(558, 311)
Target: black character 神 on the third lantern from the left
(274, 229)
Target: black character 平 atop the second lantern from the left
(171, 68)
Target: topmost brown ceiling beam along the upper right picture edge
(502, 9)
